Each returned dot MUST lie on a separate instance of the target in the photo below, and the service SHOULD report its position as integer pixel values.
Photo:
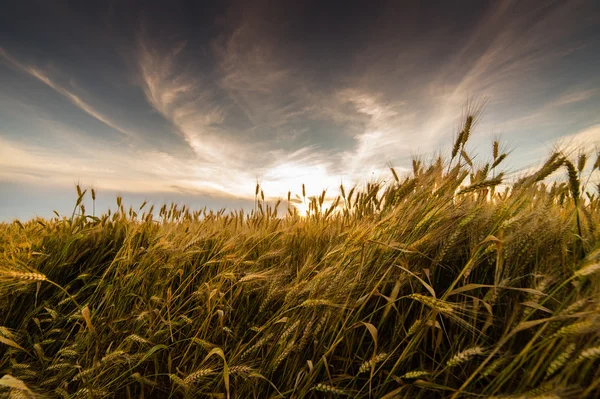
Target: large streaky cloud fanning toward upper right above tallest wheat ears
(506, 53)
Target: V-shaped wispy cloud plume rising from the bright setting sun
(227, 159)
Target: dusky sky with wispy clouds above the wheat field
(196, 101)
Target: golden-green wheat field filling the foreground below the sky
(448, 283)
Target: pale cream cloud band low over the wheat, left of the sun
(106, 168)
